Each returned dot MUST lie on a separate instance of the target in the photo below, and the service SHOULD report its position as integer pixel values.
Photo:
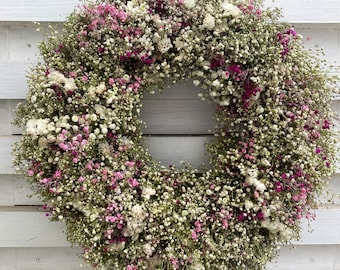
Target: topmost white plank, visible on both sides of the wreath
(314, 11)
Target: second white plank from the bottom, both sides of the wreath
(39, 232)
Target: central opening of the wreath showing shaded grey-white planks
(178, 125)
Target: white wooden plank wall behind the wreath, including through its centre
(29, 241)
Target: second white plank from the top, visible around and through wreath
(18, 53)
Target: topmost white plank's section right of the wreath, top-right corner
(308, 11)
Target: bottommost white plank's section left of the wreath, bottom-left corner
(41, 259)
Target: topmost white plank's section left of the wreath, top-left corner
(36, 10)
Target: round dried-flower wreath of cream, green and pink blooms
(82, 148)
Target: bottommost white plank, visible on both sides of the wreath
(303, 257)
